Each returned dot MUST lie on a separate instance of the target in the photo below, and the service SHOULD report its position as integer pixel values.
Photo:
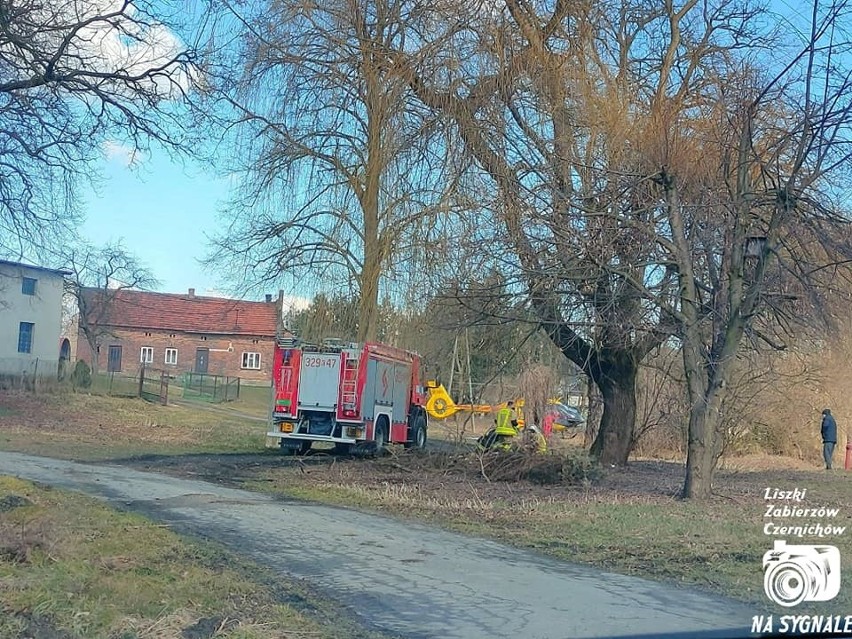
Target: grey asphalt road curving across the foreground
(403, 578)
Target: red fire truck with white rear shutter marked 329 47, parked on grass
(363, 395)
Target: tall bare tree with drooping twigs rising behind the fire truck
(343, 178)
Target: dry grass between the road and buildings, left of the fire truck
(80, 426)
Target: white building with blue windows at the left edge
(30, 318)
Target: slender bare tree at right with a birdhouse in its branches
(779, 242)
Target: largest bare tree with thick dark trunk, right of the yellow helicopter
(560, 107)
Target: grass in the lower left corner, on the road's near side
(71, 564)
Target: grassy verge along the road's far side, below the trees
(716, 545)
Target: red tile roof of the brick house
(187, 313)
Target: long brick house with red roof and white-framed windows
(180, 333)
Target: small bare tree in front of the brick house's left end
(98, 275)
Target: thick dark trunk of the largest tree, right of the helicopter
(617, 384)
